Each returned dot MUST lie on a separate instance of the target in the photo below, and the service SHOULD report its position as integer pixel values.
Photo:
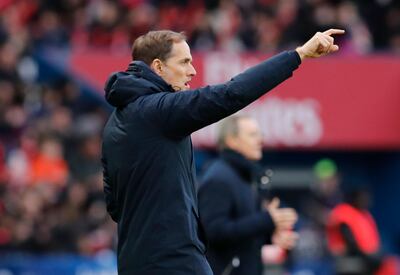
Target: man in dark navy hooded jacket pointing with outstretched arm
(149, 175)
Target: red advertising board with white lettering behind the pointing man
(329, 103)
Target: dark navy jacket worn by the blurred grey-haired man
(230, 211)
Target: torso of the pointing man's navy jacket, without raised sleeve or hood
(151, 194)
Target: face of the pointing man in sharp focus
(178, 70)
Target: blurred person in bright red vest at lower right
(353, 236)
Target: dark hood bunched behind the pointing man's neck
(122, 88)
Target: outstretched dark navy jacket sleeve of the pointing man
(181, 113)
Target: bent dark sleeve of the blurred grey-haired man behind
(216, 207)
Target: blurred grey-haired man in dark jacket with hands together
(236, 224)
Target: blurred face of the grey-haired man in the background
(248, 141)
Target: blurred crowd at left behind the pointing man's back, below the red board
(51, 196)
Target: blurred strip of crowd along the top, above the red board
(235, 25)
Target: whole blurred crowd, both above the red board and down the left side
(51, 195)
